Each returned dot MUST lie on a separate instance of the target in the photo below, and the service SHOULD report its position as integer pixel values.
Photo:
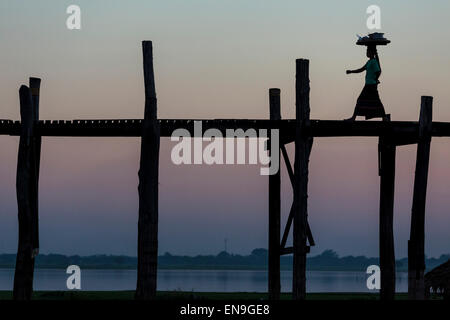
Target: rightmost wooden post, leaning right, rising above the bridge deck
(416, 243)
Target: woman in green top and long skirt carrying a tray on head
(369, 104)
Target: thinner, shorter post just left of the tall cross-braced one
(274, 209)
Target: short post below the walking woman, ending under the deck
(387, 151)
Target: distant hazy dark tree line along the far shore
(328, 260)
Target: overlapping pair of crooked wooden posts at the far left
(27, 191)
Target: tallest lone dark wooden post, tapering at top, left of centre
(148, 186)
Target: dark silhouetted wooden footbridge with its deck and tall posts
(301, 131)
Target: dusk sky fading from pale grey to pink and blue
(217, 59)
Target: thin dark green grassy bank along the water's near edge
(180, 295)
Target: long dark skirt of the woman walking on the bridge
(369, 104)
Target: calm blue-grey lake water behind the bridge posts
(201, 280)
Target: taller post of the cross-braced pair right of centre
(303, 146)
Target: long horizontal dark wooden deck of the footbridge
(316, 128)
